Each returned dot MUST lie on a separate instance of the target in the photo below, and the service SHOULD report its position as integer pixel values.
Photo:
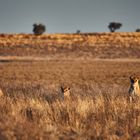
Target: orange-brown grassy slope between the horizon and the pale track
(91, 45)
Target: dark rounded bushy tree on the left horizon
(39, 29)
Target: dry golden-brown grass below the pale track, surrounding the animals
(98, 107)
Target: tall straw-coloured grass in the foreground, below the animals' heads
(99, 114)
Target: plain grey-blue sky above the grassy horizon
(68, 16)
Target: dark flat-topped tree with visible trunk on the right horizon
(114, 26)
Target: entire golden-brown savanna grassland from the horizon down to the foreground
(31, 76)
